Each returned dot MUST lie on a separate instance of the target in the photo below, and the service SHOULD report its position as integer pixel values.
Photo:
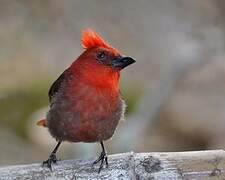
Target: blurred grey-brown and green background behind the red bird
(175, 92)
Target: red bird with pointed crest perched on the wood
(85, 101)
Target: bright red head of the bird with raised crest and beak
(100, 61)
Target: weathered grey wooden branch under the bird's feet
(174, 165)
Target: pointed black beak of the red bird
(122, 62)
